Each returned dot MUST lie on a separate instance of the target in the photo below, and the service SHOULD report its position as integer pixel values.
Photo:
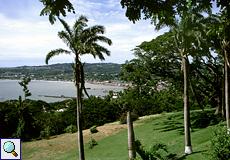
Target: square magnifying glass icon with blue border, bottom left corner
(10, 148)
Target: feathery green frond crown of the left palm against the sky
(82, 41)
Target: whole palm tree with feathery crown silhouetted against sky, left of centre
(81, 41)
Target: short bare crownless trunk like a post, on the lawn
(131, 139)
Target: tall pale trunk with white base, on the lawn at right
(188, 147)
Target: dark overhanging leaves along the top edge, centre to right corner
(164, 11)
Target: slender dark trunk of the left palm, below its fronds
(79, 112)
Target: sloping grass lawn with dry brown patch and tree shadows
(112, 140)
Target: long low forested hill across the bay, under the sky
(93, 71)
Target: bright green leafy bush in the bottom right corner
(220, 144)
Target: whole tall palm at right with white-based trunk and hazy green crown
(189, 34)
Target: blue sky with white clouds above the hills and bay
(26, 37)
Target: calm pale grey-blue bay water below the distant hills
(10, 89)
